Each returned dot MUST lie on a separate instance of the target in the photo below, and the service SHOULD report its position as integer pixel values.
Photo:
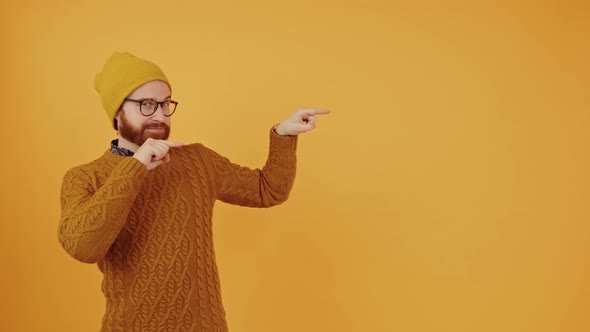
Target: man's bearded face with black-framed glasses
(137, 128)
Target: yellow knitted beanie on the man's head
(122, 73)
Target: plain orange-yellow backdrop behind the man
(447, 191)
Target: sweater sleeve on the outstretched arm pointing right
(266, 187)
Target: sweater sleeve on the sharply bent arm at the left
(91, 218)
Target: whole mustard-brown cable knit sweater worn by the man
(150, 232)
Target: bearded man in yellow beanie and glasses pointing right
(143, 210)
